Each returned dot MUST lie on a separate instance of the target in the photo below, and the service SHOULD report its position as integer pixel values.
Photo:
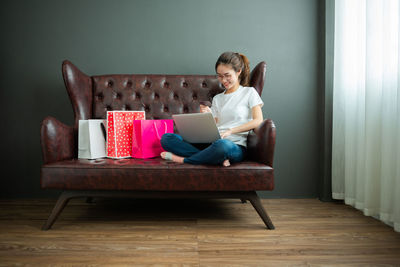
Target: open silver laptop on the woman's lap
(197, 128)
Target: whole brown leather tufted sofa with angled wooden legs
(160, 96)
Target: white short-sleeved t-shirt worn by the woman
(234, 109)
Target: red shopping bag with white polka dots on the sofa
(119, 132)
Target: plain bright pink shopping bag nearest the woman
(147, 135)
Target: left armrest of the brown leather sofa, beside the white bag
(57, 140)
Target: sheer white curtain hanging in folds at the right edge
(366, 108)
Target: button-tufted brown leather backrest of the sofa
(159, 96)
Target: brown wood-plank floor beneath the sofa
(132, 232)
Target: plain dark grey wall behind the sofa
(158, 36)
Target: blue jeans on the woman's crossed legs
(214, 153)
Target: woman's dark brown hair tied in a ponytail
(237, 62)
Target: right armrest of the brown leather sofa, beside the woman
(261, 143)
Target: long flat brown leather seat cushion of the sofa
(154, 175)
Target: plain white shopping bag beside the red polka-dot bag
(91, 139)
